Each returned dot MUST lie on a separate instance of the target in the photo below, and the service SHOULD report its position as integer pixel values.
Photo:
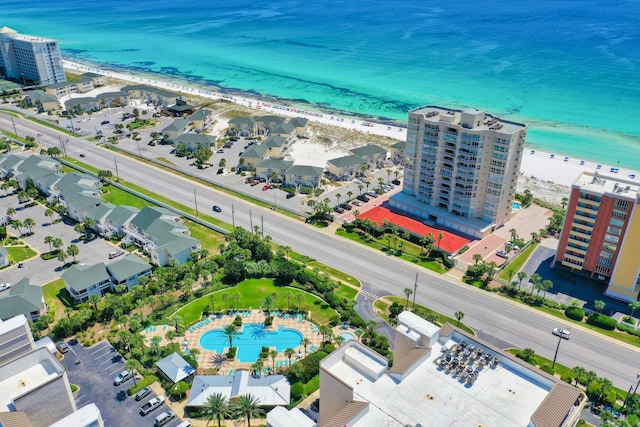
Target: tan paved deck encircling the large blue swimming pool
(191, 338)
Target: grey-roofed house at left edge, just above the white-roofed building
(22, 299)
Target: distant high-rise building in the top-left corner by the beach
(30, 58)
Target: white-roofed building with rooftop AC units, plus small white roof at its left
(440, 377)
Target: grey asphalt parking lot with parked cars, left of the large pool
(93, 370)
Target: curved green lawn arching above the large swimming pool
(251, 295)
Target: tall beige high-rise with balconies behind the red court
(461, 168)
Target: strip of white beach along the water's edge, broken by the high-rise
(535, 164)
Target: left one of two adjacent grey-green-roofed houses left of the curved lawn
(83, 280)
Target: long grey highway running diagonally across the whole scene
(495, 318)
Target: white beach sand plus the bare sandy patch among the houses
(537, 167)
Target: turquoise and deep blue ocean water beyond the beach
(569, 68)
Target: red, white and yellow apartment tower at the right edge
(600, 233)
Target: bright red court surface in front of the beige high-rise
(450, 243)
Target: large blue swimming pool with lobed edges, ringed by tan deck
(251, 340)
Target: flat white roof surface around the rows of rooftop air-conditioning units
(505, 395)
